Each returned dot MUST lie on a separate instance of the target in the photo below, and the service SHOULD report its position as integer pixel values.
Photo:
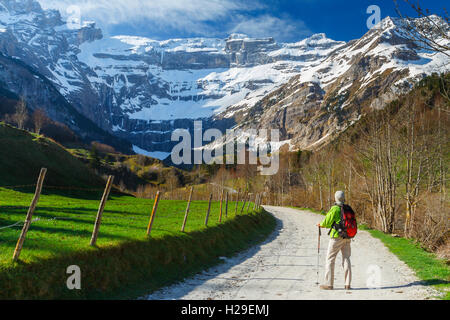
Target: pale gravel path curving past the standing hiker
(285, 267)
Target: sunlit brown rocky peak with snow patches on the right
(360, 76)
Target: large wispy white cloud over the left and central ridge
(201, 17)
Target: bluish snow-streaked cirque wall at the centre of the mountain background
(153, 87)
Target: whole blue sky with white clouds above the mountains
(285, 20)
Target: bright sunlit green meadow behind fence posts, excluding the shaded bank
(66, 223)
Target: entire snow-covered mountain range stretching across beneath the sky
(141, 89)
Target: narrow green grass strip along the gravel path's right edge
(426, 265)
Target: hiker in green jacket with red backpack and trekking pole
(342, 230)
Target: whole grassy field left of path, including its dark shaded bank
(126, 263)
